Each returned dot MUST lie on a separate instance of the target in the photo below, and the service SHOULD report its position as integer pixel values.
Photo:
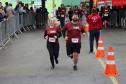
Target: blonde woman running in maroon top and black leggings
(52, 33)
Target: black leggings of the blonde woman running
(53, 49)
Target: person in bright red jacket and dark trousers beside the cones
(95, 25)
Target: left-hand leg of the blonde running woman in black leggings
(50, 49)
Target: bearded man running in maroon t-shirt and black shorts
(72, 31)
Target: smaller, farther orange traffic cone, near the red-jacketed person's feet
(100, 51)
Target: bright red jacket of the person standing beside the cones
(94, 21)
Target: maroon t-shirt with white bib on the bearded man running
(73, 32)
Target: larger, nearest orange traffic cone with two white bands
(110, 69)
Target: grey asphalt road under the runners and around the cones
(26, 61)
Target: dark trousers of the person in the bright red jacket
(94, 34)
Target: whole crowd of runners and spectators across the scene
(69, 22)
